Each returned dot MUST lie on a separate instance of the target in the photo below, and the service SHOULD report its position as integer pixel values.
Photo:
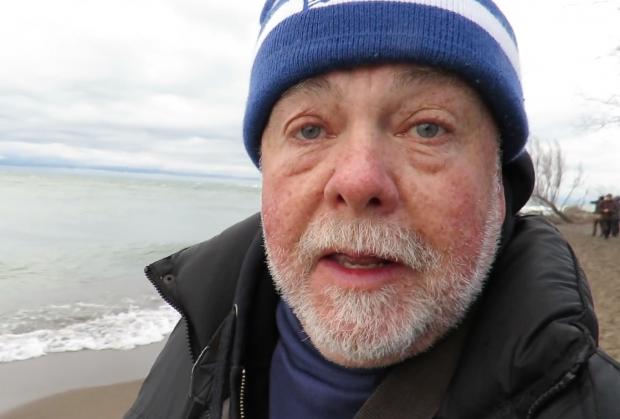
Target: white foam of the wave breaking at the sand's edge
(123, 330)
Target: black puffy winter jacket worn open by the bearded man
(530, 351)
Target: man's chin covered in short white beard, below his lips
(378, 328)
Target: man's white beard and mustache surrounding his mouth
(381, 327)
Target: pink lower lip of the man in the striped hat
(329, 271)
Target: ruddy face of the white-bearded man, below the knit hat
(382, 208)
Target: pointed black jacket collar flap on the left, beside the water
(204, 282)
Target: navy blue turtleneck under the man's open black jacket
(304, 385)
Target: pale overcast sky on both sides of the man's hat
(161, 84)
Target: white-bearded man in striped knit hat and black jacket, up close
(365, 288)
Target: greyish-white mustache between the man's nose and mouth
(365, 237)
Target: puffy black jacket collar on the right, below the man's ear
(533, 327)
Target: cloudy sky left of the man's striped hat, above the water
(153, 85)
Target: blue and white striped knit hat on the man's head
(300, 39)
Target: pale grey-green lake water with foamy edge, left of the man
(73, 245)
